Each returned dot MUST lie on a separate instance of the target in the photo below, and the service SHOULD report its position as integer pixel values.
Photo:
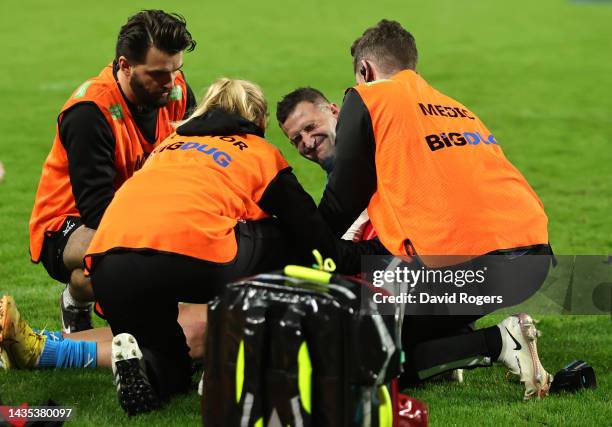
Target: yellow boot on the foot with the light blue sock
(23, 345)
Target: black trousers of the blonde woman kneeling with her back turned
(139, 294)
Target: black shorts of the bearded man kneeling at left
(52, 254)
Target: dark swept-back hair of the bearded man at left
(167, 32)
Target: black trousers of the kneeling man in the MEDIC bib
(439, 341)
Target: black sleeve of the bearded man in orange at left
(90, 147)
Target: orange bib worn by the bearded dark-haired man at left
(54, 198)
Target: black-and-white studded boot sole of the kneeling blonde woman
(135, 393)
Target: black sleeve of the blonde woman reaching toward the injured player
(292, 205)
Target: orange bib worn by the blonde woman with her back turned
(188, 198)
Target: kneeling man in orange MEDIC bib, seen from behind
(437, 184)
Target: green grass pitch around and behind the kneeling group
(539, 74)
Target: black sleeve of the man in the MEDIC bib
(353, 179)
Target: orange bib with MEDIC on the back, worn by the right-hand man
(444, 186)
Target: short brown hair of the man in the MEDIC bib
(388, 44)
